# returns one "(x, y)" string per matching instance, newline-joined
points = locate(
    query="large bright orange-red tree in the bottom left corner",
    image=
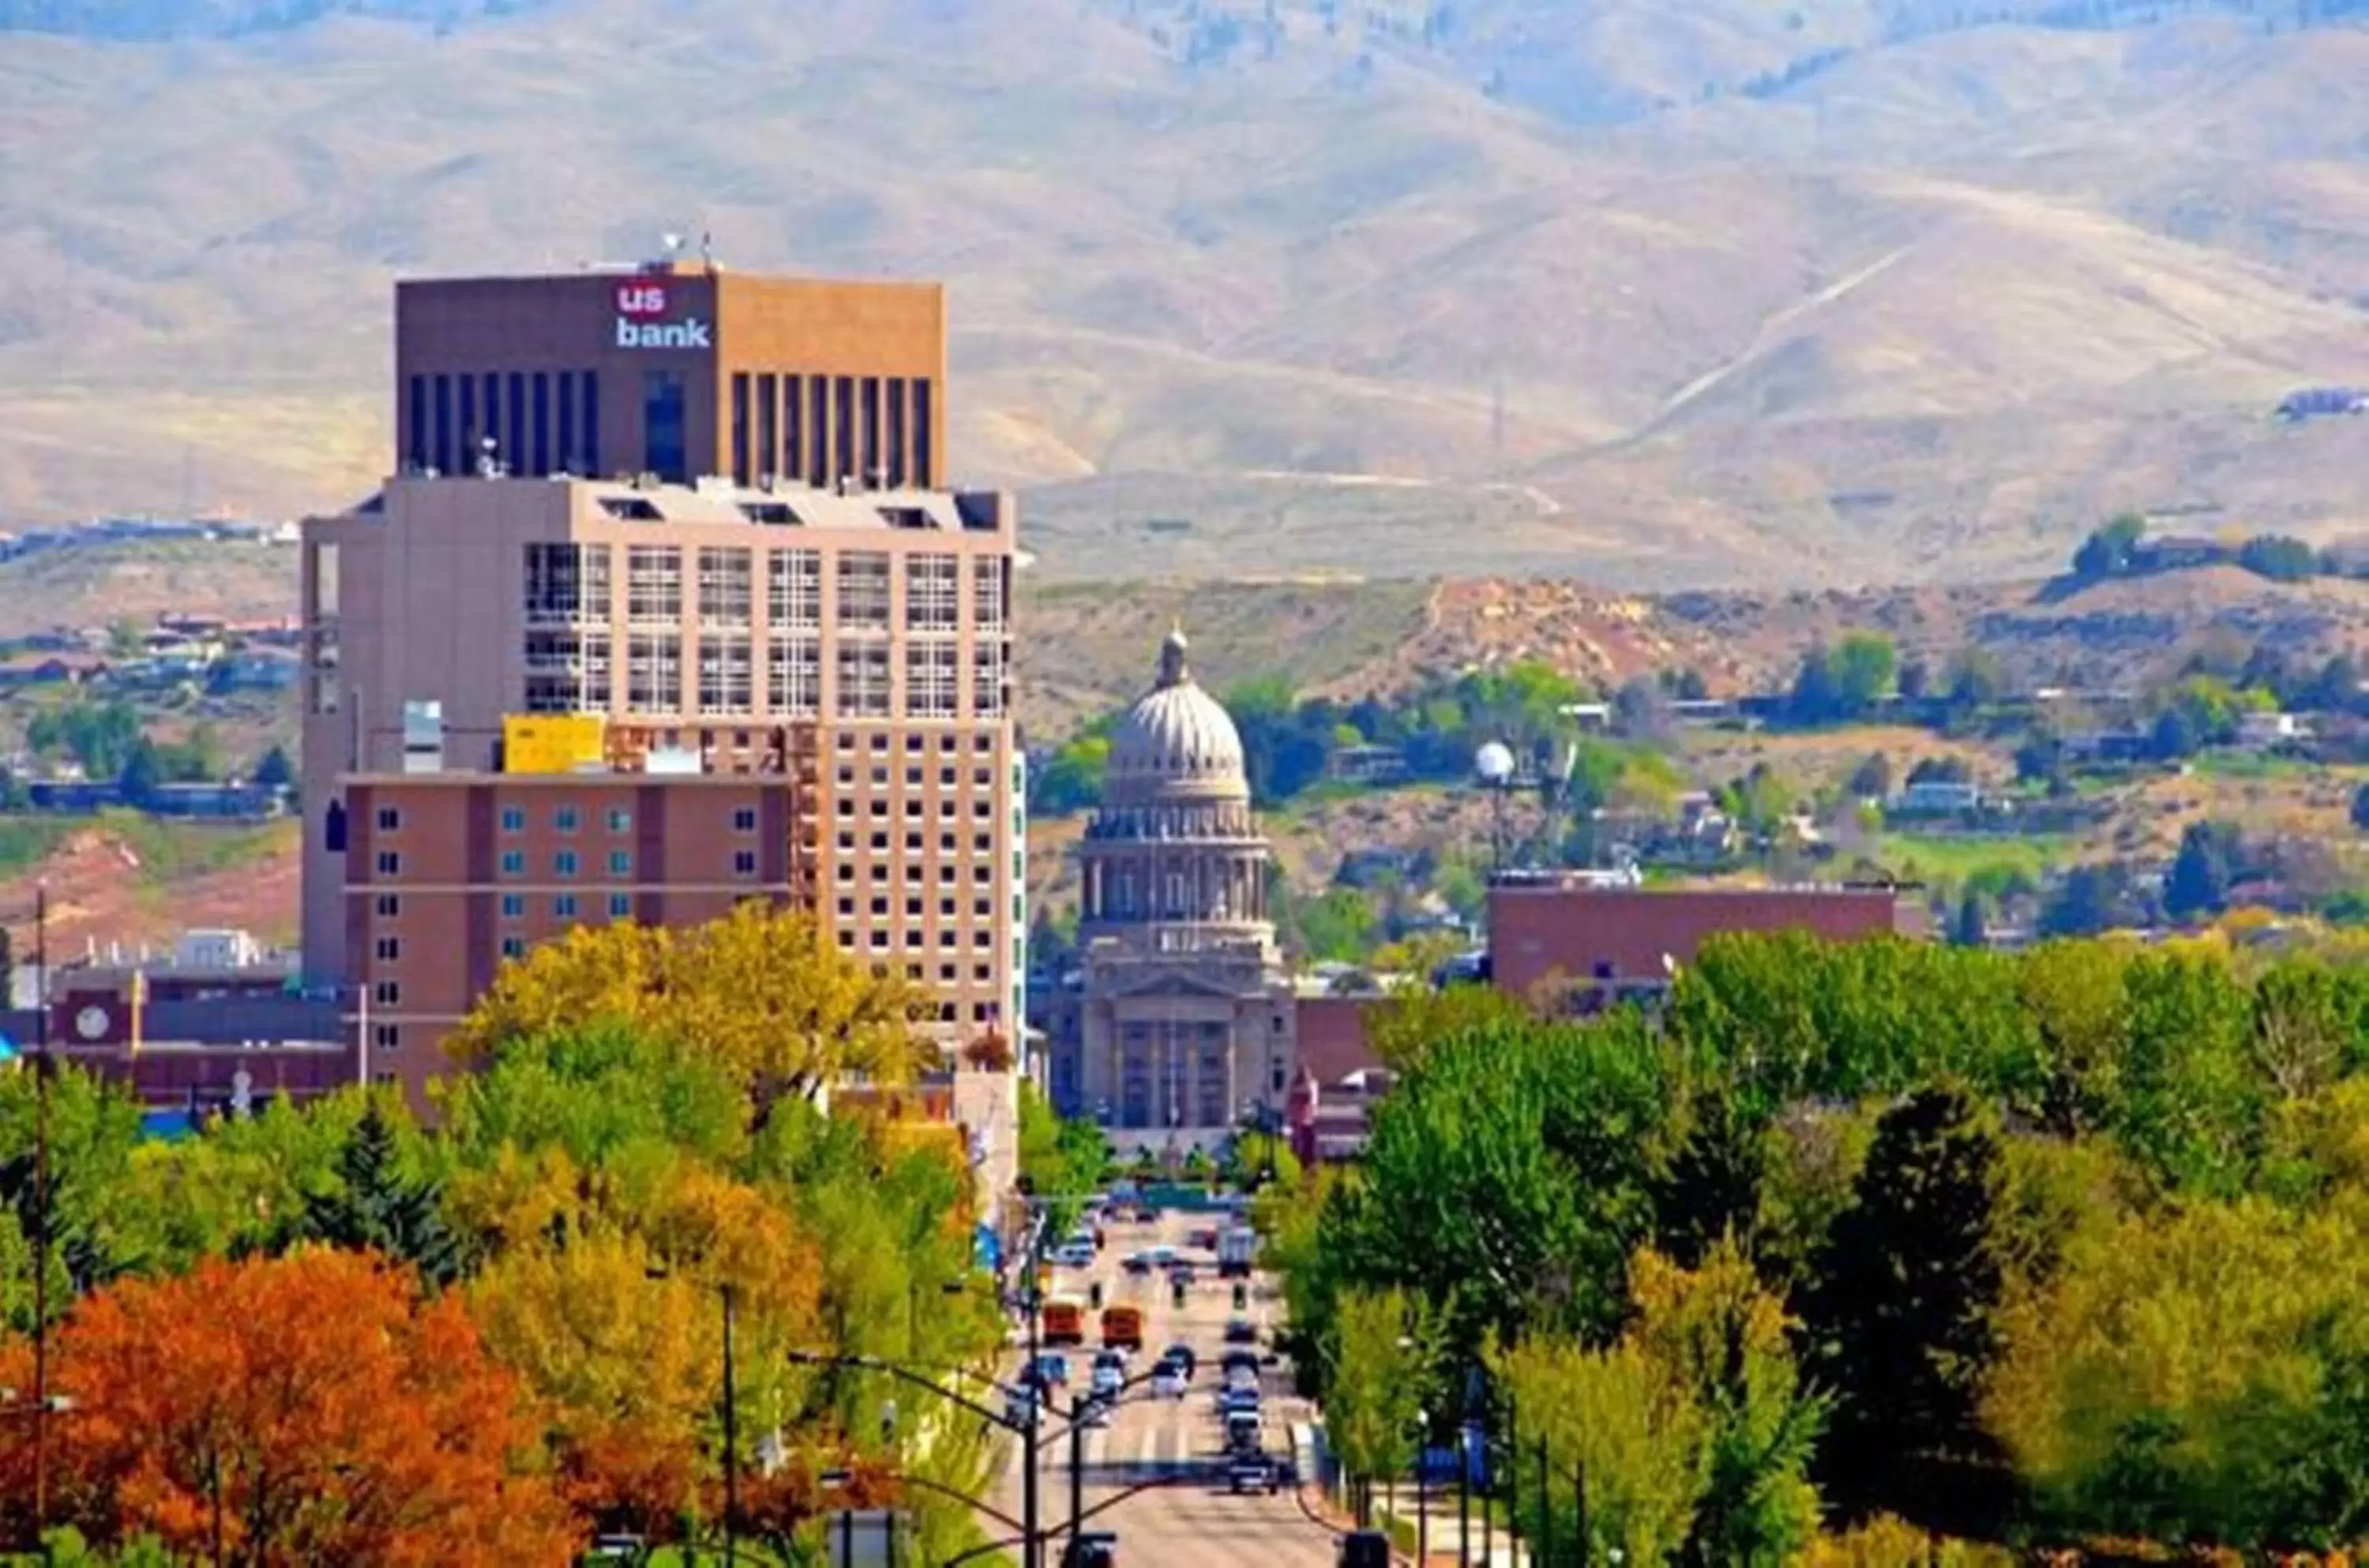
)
(290, 1410)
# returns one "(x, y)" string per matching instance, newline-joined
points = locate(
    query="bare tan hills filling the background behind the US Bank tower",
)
(1742, 293)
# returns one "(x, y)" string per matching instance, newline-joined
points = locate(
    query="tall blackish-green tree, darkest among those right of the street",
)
(1901, 1316)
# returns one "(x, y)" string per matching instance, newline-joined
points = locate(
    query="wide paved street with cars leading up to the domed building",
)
(1188, 1519)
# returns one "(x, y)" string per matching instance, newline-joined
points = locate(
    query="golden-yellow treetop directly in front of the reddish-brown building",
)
(764, 994)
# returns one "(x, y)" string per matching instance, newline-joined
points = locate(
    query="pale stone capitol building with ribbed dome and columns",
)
(1179, 1017)
